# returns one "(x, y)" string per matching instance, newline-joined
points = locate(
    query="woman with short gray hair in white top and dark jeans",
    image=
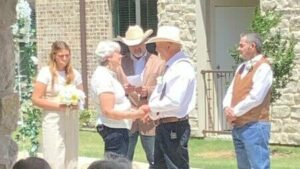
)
(113, 107)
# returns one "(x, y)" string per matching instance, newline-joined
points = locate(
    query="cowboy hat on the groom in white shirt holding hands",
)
(166, 34)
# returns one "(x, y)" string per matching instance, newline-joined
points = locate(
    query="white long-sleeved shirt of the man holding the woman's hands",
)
(179, 96)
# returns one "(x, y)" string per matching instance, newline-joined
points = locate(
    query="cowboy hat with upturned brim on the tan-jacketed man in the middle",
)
(135, 35)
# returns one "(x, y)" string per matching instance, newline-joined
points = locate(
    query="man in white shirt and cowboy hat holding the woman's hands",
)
(171, 101)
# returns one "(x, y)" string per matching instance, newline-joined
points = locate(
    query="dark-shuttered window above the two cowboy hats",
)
(131, 12)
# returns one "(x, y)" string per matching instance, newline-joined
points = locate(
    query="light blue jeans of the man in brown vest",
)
(251, 143)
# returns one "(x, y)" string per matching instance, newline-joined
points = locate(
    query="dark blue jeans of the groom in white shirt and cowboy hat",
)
(171, 145)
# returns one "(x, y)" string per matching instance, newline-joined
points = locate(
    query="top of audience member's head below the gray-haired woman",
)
(111, 161)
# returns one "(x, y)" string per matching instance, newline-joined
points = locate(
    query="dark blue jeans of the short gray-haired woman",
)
(116, 139)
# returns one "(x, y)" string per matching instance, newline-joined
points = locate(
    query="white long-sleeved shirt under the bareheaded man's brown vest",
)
(262, 81)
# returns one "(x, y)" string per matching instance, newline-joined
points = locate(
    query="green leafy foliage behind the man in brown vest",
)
(279, 49)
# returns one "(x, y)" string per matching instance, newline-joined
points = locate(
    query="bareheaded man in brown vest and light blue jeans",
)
(246, 105)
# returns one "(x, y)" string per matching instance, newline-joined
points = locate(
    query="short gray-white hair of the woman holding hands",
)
(106, 49)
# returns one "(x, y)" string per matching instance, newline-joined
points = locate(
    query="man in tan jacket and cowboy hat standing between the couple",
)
(147, 67)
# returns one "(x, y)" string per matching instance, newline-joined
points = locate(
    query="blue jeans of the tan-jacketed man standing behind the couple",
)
(148, 146)
